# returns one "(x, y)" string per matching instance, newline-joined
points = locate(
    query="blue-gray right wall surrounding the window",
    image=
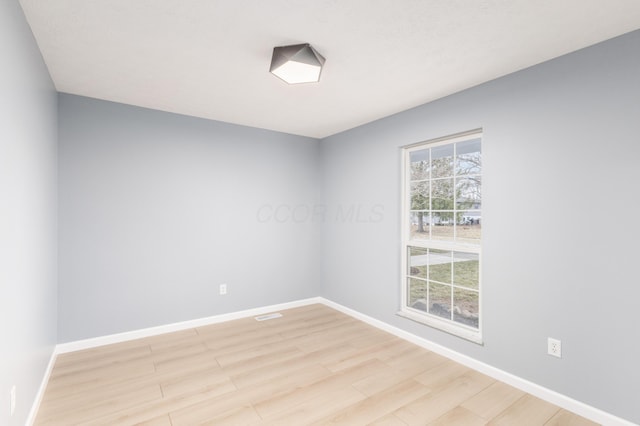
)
(561, 158)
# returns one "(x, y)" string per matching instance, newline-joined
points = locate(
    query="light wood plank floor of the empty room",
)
(313, 366)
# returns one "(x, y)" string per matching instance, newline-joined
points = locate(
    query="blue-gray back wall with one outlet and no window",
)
(157, 210)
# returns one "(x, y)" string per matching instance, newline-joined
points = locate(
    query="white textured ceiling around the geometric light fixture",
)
(210, 58)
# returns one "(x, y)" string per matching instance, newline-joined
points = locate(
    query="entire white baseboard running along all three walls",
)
(541, 392)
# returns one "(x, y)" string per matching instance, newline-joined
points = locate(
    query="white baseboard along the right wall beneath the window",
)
(541, 392)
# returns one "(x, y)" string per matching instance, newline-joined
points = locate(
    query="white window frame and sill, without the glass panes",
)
(448, 326)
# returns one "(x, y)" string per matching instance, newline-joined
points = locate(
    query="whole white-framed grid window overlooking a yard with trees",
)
(442, 224)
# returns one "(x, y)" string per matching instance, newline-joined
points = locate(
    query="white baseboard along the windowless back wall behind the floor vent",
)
(168, 328)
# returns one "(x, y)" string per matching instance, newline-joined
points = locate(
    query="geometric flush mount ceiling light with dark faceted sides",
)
(295, 64)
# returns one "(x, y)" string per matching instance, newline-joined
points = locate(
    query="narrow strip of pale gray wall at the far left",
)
(27, 214)
